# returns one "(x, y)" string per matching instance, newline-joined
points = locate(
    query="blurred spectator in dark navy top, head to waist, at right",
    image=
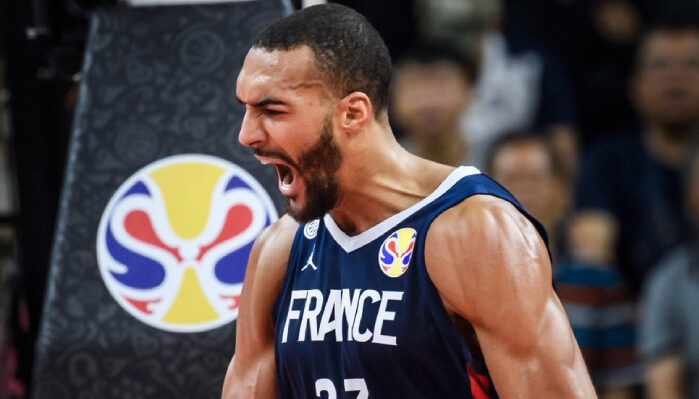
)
(628, 201)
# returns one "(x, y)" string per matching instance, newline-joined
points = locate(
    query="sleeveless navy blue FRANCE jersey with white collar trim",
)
(359, 317)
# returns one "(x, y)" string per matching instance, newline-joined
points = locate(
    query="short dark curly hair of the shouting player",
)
(348, 50)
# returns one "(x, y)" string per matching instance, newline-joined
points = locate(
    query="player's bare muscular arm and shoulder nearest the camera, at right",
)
(492, 268)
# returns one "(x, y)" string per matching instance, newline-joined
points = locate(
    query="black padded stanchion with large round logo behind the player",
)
(159, 209)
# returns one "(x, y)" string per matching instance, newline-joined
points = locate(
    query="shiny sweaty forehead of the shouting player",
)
(277, 70)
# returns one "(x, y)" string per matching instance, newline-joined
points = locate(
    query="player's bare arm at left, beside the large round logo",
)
(251, 373)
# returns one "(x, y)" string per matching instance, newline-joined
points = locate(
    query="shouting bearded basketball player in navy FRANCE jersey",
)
(391, 276)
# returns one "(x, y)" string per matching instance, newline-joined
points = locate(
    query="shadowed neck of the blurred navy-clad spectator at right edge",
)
(669, 145)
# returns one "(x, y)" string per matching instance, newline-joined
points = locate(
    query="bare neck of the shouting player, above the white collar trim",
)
(380, 180)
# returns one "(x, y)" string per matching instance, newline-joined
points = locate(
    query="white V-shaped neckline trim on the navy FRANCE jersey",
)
(351, 243)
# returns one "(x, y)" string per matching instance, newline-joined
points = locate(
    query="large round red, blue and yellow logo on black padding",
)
(174, 241)
